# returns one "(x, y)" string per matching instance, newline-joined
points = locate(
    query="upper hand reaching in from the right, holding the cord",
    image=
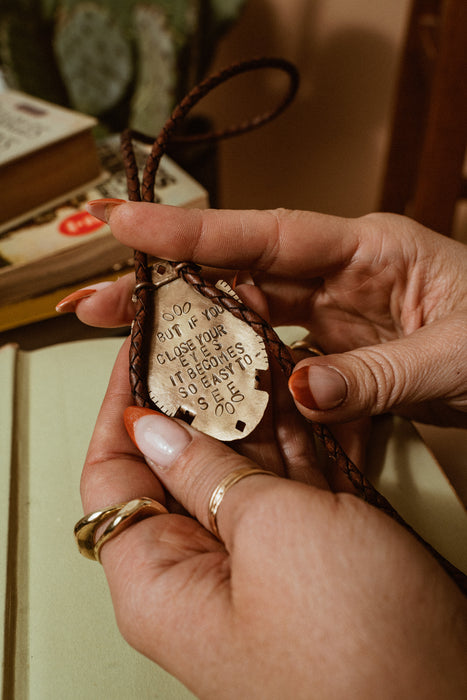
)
(385, 297)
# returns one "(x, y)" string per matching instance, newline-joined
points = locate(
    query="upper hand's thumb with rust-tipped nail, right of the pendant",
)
(425, 366)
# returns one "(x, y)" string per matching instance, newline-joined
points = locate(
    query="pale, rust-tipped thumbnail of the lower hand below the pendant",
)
(160, 439)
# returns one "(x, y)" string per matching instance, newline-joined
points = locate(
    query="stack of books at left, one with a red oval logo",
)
(49, 244)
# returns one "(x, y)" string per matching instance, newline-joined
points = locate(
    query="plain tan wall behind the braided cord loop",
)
(326, 152)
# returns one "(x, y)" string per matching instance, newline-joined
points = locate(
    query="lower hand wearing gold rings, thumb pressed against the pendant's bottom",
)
(314, 594)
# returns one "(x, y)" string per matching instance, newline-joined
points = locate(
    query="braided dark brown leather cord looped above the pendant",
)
(191, 274)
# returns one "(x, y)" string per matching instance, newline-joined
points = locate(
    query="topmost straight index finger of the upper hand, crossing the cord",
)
(249, 240)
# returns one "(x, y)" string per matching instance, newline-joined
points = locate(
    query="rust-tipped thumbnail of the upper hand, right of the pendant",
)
(318, 387)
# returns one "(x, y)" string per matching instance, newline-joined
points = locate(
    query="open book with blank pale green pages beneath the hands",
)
(61, 640)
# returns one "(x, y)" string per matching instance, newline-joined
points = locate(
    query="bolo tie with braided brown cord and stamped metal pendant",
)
(184, 325)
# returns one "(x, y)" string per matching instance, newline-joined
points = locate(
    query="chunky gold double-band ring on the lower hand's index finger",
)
(124, 515)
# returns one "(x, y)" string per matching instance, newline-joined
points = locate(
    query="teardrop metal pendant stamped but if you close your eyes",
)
(204, 363)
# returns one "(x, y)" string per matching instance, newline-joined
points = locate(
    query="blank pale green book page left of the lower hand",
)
(67, 637)
